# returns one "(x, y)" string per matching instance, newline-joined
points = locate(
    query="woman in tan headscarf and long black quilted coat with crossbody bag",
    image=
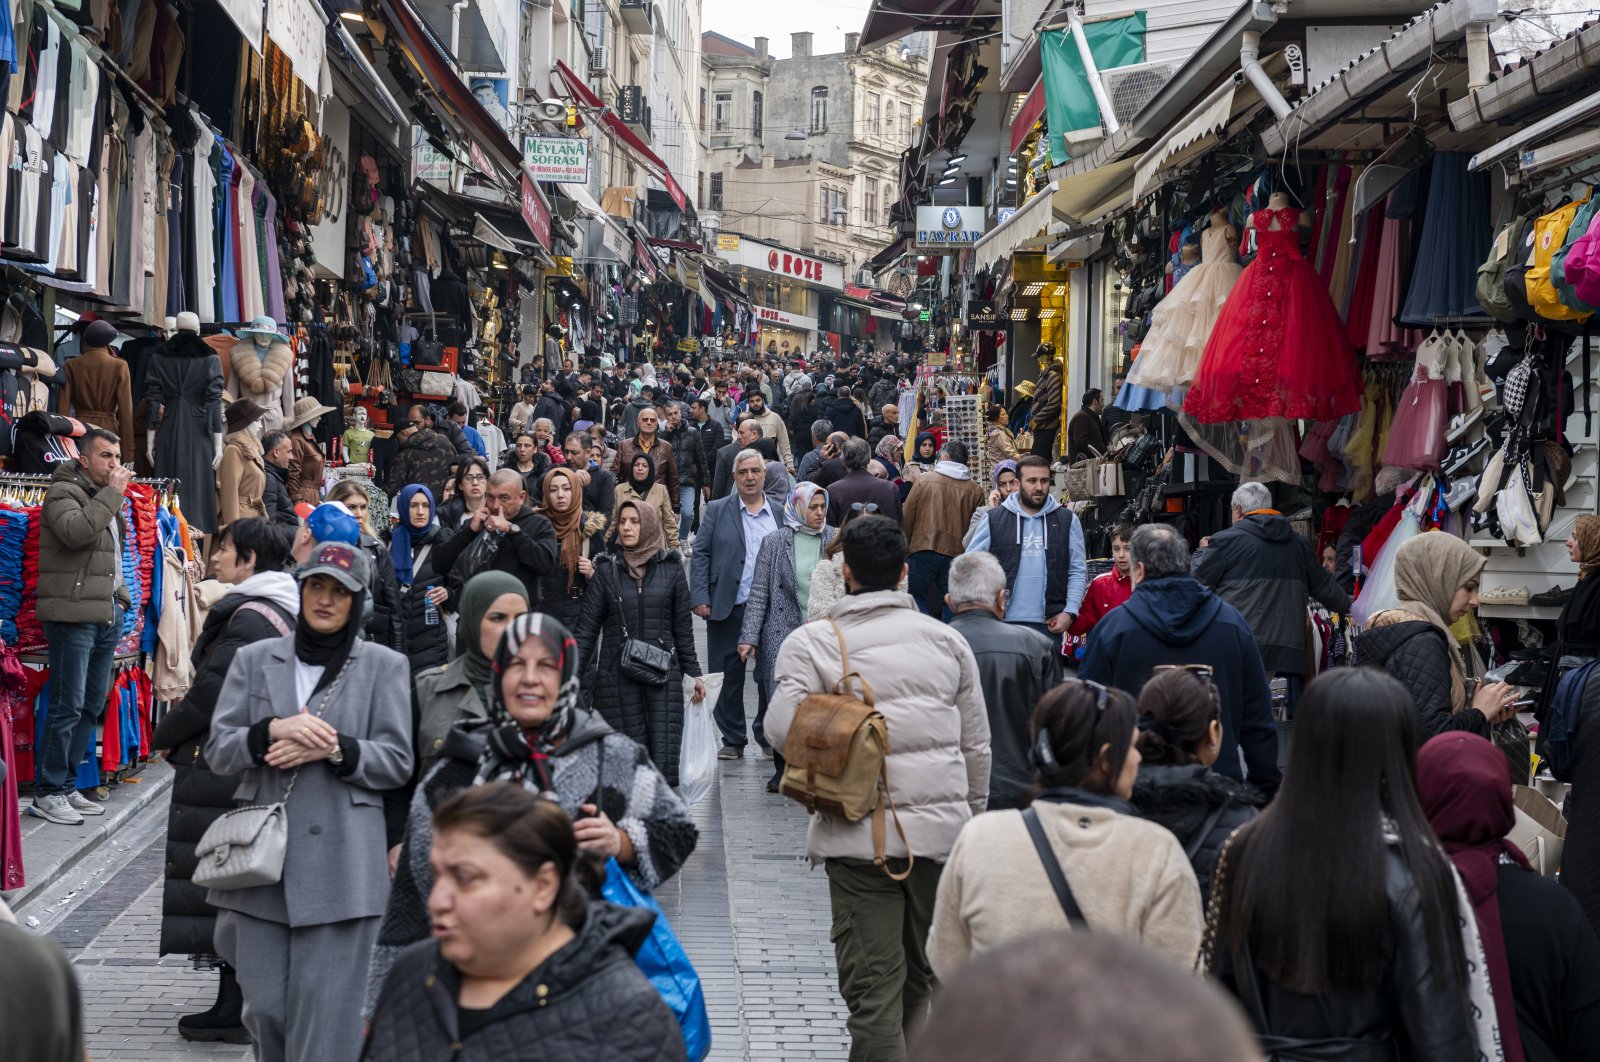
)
(639, 593)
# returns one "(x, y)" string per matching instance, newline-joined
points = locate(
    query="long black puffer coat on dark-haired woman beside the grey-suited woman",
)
(199, 796)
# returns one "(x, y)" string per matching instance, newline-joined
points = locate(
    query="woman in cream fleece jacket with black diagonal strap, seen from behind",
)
(1118, 872)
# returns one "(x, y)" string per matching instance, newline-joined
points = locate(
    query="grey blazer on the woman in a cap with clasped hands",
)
(337, 864)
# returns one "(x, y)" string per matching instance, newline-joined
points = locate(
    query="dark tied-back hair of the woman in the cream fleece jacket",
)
(1071, 725)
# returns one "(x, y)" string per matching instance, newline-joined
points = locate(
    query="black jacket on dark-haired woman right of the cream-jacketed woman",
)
(1185, 800)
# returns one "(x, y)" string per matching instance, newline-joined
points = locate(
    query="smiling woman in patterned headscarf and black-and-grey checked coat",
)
(620, 804)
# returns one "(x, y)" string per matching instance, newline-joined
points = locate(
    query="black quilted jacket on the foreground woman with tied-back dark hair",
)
(586, 1002)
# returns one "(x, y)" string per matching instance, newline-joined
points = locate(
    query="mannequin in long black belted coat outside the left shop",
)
(185, 378)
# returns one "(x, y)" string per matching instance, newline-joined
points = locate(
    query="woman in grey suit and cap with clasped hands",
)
(330, 714)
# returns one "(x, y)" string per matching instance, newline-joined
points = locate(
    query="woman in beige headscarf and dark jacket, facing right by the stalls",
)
(1438, 583)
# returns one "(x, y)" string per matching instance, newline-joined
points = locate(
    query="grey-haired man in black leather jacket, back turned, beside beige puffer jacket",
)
(1017, 666)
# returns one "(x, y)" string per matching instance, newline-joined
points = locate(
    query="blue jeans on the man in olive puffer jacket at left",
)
(81, 661)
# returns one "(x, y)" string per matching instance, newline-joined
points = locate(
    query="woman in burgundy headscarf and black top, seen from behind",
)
(1542, 952)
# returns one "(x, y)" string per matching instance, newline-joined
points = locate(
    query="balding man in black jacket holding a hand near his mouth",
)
(506, 535)
